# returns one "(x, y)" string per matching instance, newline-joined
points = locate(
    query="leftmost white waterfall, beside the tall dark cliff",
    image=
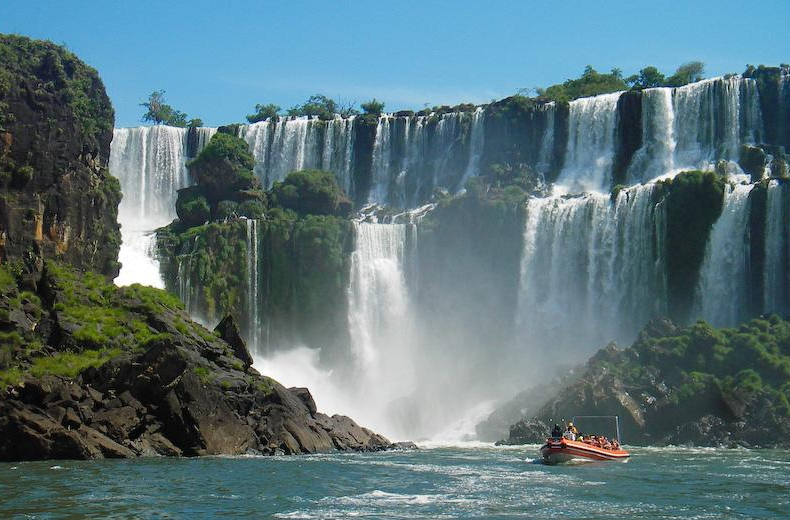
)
(149, 162)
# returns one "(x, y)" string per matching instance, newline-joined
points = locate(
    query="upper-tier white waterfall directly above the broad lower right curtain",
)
(591, 137)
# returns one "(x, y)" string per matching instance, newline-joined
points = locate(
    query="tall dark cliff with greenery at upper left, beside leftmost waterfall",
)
(57, 197)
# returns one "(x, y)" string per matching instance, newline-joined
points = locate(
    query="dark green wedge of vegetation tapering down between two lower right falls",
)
(694, 201)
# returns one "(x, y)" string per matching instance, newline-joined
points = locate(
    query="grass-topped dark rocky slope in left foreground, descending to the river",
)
(89, 370)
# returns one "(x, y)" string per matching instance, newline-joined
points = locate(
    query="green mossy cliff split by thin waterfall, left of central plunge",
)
(303, 241)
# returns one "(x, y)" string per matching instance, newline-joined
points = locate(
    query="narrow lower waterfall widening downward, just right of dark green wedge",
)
(722, 295)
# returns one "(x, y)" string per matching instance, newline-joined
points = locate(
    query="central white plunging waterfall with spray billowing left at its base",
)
(381, 371)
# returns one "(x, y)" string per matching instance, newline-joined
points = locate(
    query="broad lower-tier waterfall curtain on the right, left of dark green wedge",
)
(591, 261)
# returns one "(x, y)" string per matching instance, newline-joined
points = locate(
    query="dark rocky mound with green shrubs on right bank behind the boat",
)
(697, 385)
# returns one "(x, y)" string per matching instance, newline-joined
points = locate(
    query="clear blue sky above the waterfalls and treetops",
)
(217, 59)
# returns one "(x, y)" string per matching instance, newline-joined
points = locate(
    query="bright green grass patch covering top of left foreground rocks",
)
(96, 320)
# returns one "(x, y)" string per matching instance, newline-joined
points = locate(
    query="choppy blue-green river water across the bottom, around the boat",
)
(434, 482)
